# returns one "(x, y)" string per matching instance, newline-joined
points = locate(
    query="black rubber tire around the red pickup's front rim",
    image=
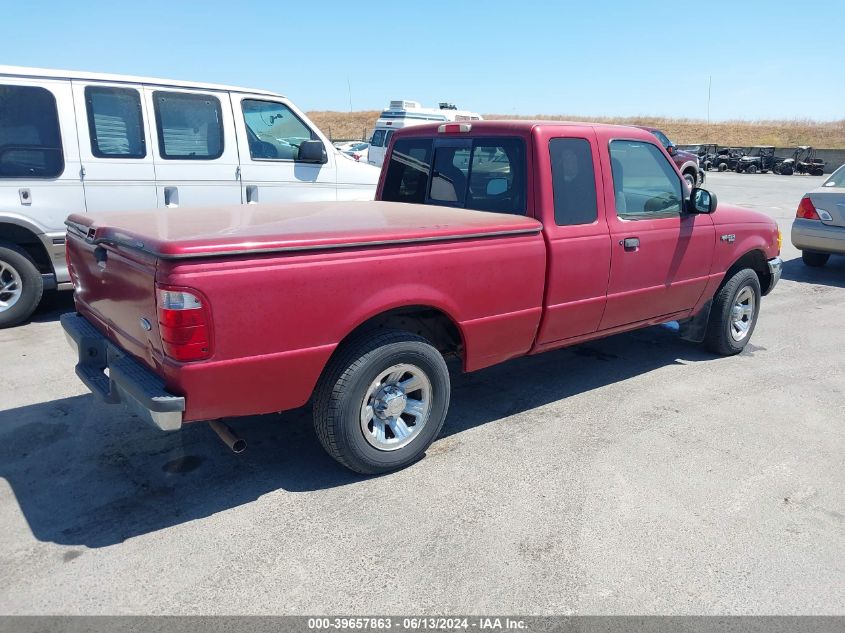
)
(719, 338)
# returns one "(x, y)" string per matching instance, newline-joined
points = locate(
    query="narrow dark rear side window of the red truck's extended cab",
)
(573, 181)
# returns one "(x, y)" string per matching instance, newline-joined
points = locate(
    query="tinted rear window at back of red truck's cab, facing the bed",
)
(480, 174)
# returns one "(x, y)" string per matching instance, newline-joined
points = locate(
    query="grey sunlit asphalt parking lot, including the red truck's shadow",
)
(636, 474)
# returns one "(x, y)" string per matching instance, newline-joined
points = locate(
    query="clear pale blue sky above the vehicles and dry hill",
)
(768, 59)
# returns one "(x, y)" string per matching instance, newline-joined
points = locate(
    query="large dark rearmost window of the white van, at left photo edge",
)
(30, 138)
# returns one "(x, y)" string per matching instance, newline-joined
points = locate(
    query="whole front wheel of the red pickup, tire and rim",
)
(734, 314)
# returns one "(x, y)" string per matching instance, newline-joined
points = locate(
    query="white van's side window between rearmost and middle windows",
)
(115, 122)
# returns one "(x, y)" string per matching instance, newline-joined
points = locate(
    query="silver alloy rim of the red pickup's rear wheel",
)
(396, 407)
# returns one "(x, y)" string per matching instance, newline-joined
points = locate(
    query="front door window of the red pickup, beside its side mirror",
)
(645, 185)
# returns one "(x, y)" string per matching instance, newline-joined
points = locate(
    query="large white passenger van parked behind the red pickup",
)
(73, 142)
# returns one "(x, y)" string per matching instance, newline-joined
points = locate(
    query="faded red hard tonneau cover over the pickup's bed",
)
(174, 233)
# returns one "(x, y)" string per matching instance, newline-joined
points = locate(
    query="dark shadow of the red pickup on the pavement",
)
(86, 473)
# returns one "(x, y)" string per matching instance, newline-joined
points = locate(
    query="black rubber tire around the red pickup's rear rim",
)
(340, 394)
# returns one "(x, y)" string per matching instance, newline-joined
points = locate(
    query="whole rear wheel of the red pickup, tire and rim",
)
(382, 401)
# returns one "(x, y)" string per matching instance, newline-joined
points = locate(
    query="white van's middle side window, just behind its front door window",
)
(189, 125)
